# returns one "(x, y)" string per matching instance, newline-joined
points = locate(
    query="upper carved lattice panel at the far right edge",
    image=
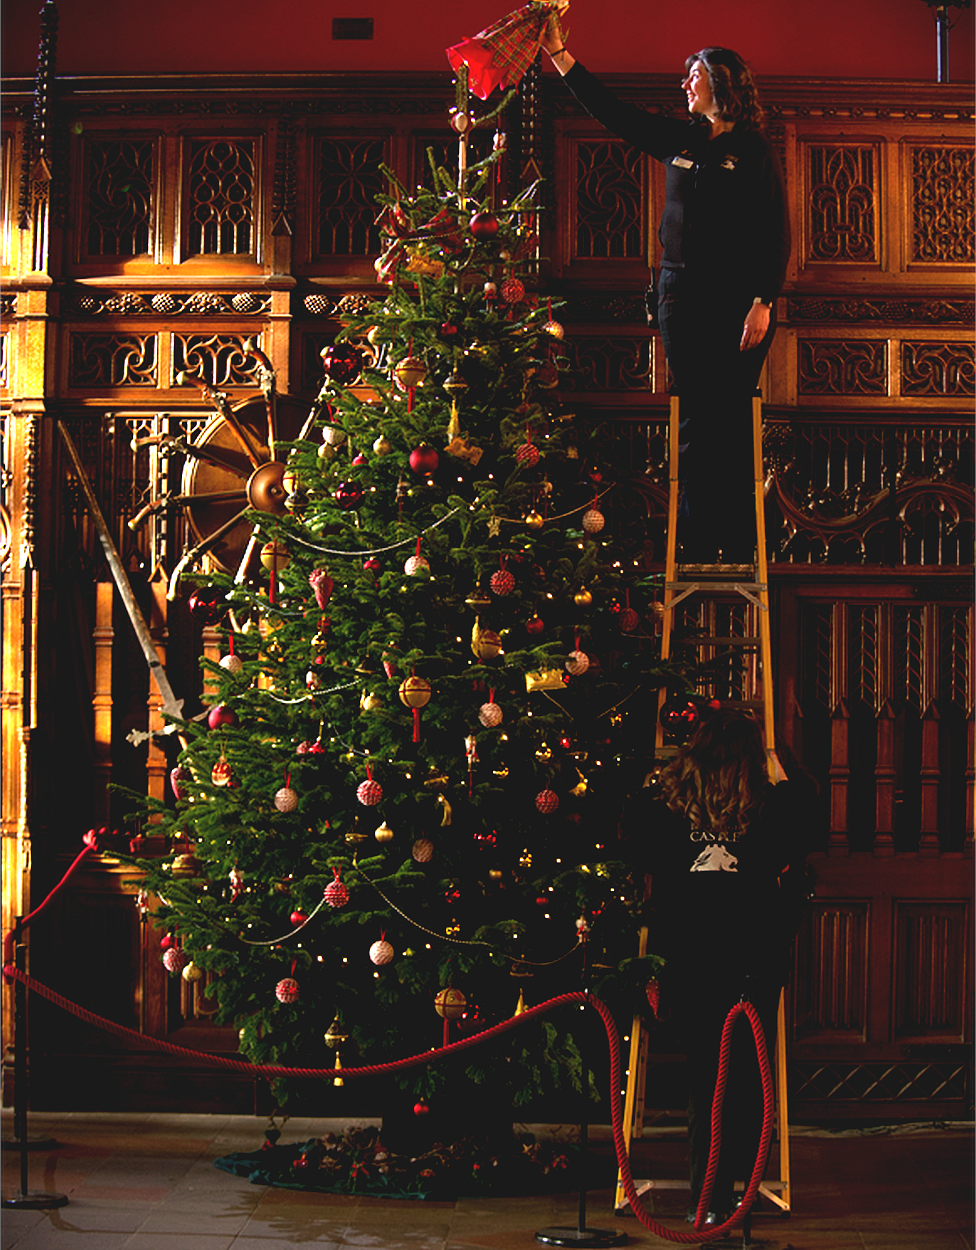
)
(943, 206)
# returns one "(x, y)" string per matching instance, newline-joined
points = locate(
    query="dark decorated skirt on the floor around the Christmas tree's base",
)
(356, 1162)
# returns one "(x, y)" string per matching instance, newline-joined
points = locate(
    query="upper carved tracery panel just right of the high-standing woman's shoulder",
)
(843, 204)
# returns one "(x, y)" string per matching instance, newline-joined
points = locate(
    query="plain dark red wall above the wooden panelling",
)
(872, 39)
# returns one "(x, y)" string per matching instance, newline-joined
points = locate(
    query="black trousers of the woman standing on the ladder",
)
(702, 328)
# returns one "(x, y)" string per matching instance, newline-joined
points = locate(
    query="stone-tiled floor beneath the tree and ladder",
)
(149, 1183)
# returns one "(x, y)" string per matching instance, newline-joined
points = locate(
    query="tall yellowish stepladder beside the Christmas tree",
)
(722, 612)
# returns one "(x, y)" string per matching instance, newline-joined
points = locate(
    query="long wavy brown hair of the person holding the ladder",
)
(719, 777)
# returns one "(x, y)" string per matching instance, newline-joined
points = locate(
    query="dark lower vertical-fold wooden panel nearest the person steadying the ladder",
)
(832, 989)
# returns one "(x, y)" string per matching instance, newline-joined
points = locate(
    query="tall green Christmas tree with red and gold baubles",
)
(437, 688)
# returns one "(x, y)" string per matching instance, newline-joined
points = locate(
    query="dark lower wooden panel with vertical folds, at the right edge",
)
(930, 973)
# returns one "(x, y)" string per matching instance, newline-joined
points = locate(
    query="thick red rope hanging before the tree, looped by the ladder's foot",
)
(613, 1039)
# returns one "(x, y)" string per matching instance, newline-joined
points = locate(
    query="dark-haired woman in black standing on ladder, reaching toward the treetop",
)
(725, 237)
